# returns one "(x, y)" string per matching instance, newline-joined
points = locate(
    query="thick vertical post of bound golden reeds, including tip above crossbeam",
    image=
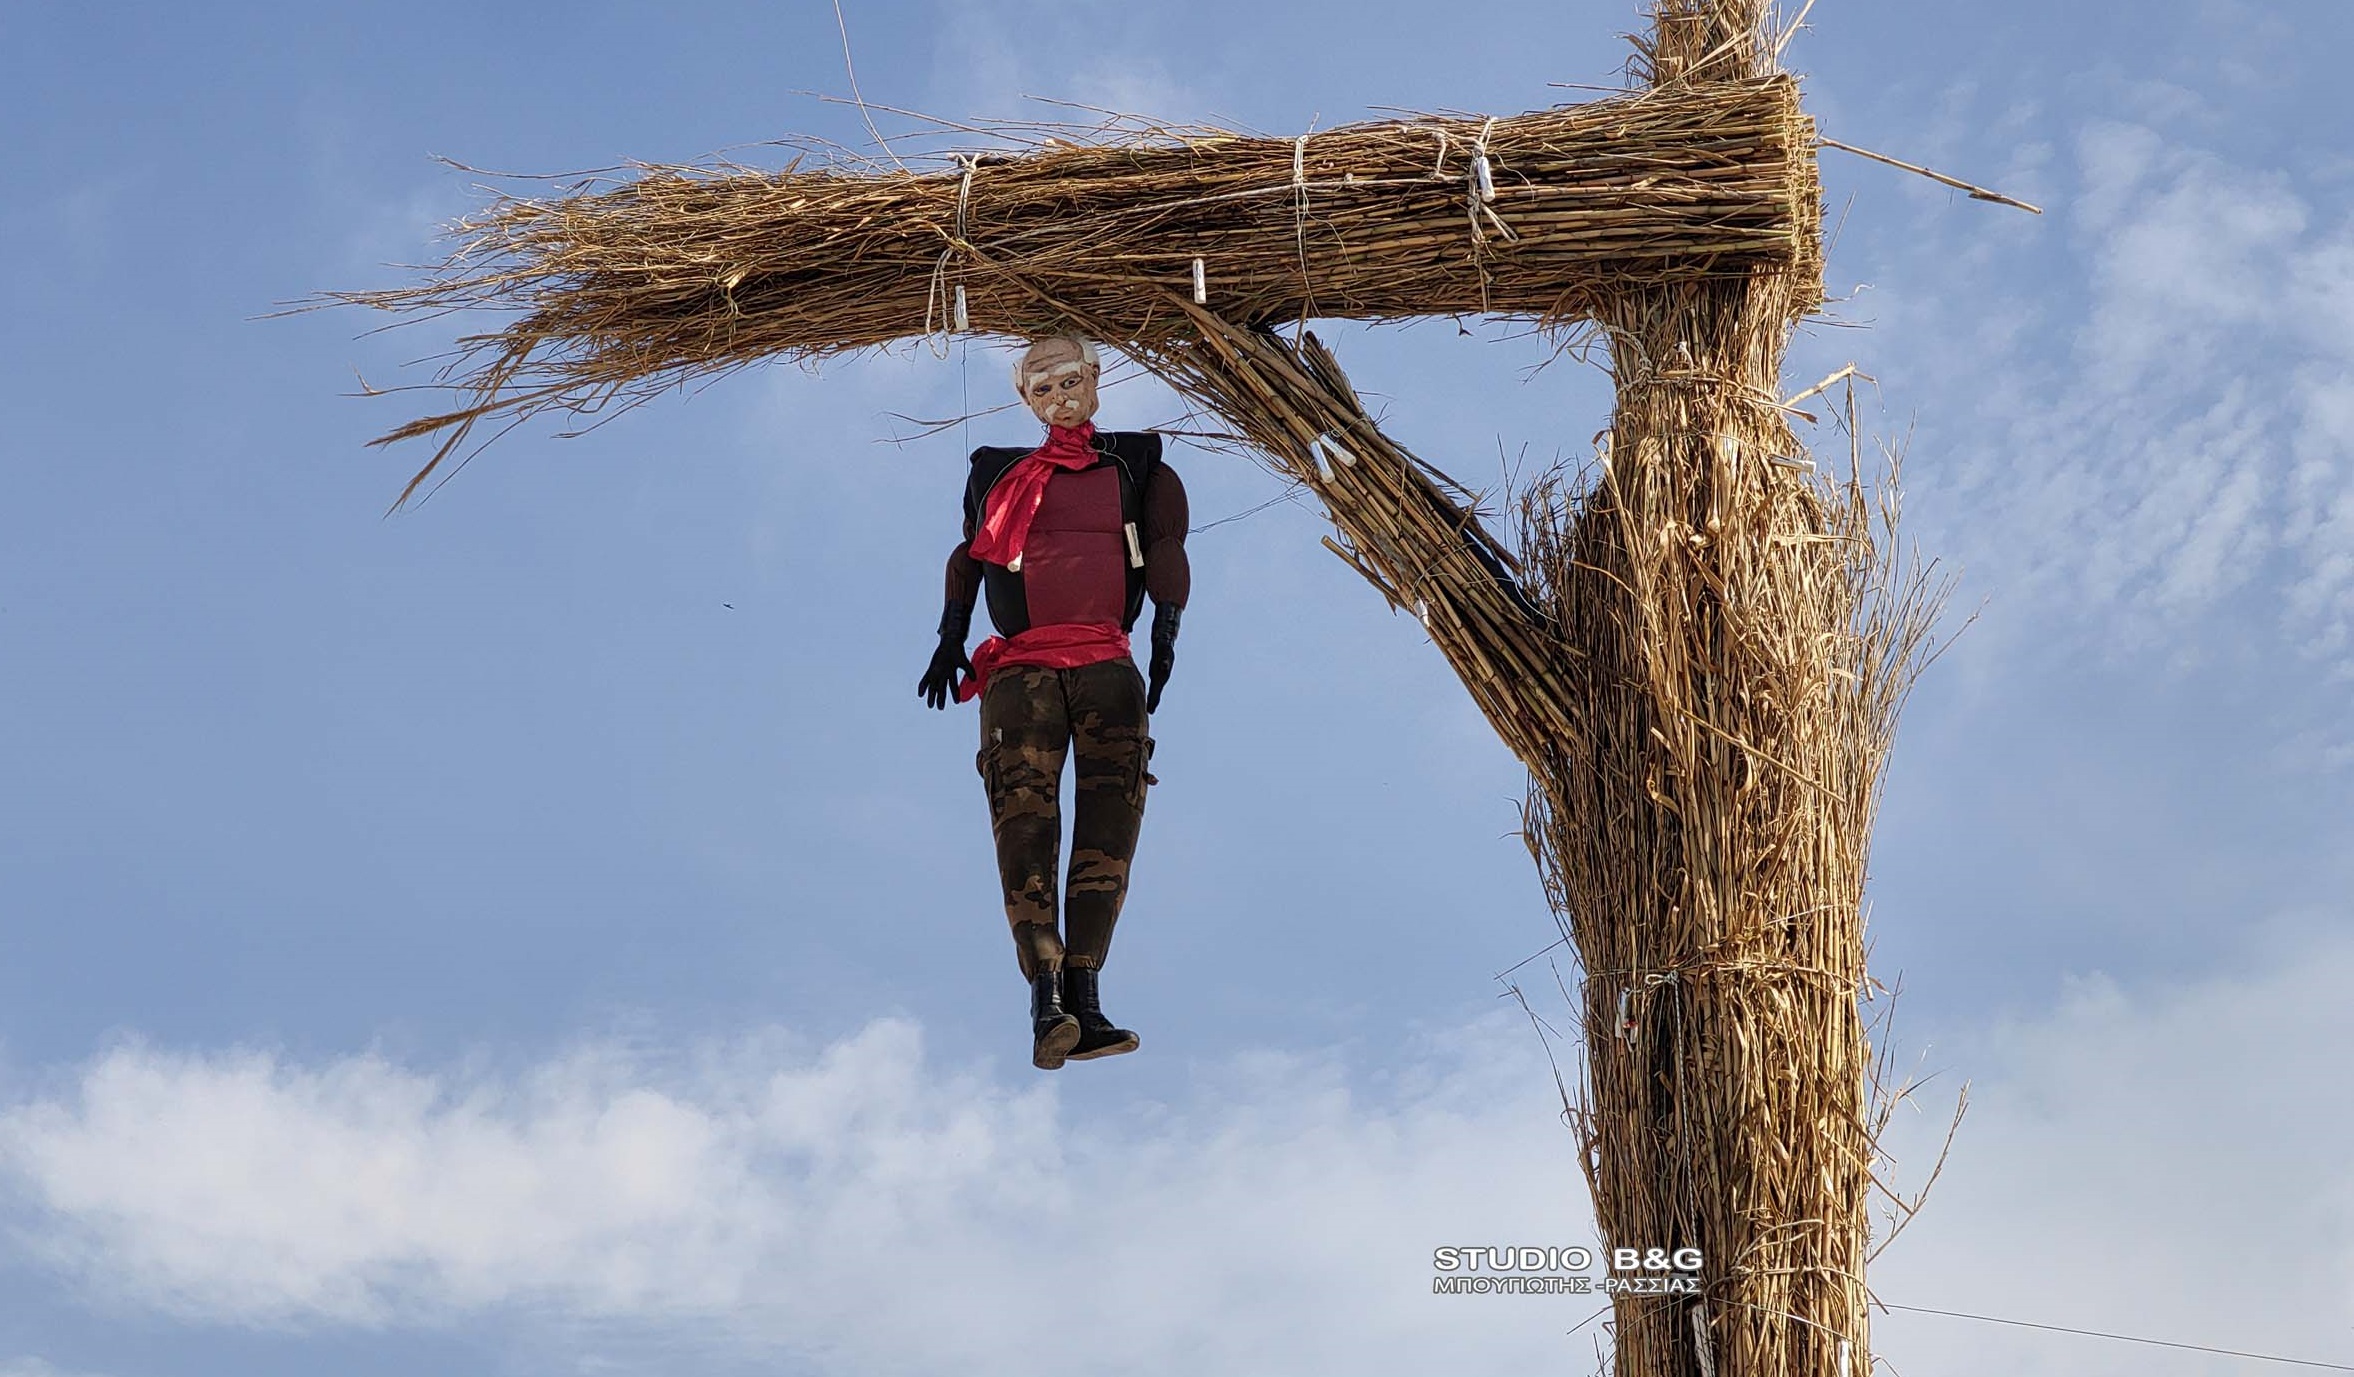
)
(1705, 846)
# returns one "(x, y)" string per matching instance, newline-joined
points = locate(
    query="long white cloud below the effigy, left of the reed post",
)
(858, 1206)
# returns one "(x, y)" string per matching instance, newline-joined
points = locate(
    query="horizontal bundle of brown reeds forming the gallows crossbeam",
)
(684, 272)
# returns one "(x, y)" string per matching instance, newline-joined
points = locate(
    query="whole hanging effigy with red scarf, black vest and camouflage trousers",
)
(1068, 540)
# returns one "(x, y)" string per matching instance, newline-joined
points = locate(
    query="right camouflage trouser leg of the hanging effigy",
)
(1112, 750)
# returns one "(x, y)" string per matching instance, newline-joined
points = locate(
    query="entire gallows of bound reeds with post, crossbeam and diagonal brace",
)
(1698, 653)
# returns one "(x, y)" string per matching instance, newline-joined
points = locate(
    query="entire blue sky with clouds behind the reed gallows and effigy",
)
(543, 933)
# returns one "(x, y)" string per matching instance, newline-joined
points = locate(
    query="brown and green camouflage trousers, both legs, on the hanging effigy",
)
(1030, 721)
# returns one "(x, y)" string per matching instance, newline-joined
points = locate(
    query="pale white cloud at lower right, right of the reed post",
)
(2165, 1164)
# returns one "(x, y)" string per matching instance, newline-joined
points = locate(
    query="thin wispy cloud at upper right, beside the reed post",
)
(2162, 432)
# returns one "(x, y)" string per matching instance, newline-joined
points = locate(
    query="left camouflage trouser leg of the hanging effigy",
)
(1025, 736)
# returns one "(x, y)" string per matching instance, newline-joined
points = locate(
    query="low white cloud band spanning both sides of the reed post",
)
(2162, 1164)
